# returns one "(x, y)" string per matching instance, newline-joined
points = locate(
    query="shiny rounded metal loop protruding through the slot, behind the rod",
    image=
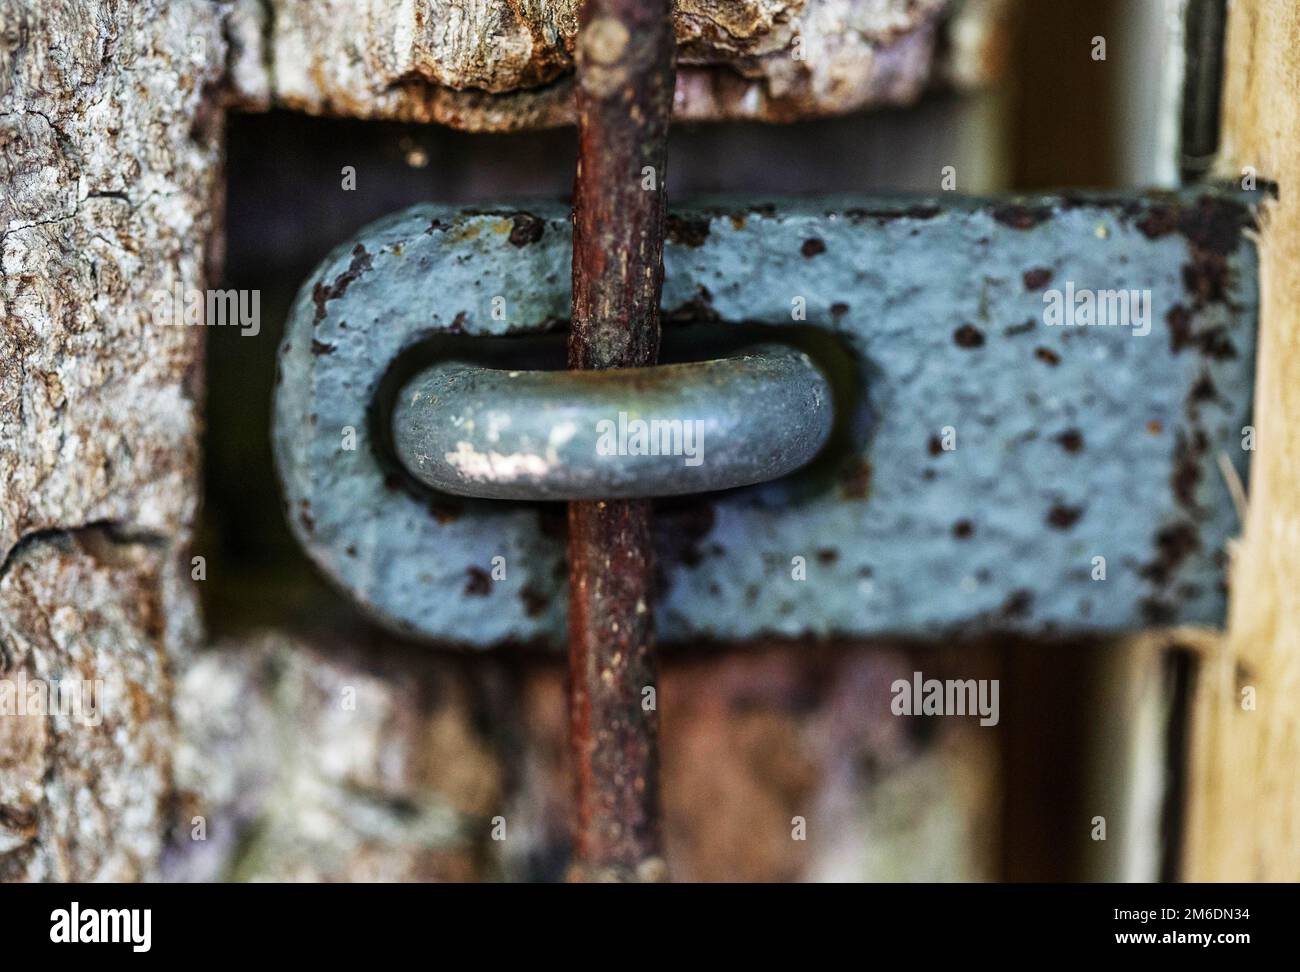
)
(666, 431)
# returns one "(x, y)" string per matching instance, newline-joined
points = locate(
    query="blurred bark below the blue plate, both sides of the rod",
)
(337, 758)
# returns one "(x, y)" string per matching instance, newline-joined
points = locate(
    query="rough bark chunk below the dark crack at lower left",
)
(88, 797)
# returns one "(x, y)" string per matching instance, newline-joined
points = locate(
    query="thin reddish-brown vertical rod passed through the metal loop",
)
(626, 75)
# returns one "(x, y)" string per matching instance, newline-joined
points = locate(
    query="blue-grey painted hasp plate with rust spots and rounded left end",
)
(1069, 444)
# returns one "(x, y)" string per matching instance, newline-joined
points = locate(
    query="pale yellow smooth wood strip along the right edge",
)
(1245, 821)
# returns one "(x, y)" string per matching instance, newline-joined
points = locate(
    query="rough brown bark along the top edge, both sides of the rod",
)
(501, 66)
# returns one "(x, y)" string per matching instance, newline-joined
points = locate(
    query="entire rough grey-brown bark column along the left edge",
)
(109, 154)
